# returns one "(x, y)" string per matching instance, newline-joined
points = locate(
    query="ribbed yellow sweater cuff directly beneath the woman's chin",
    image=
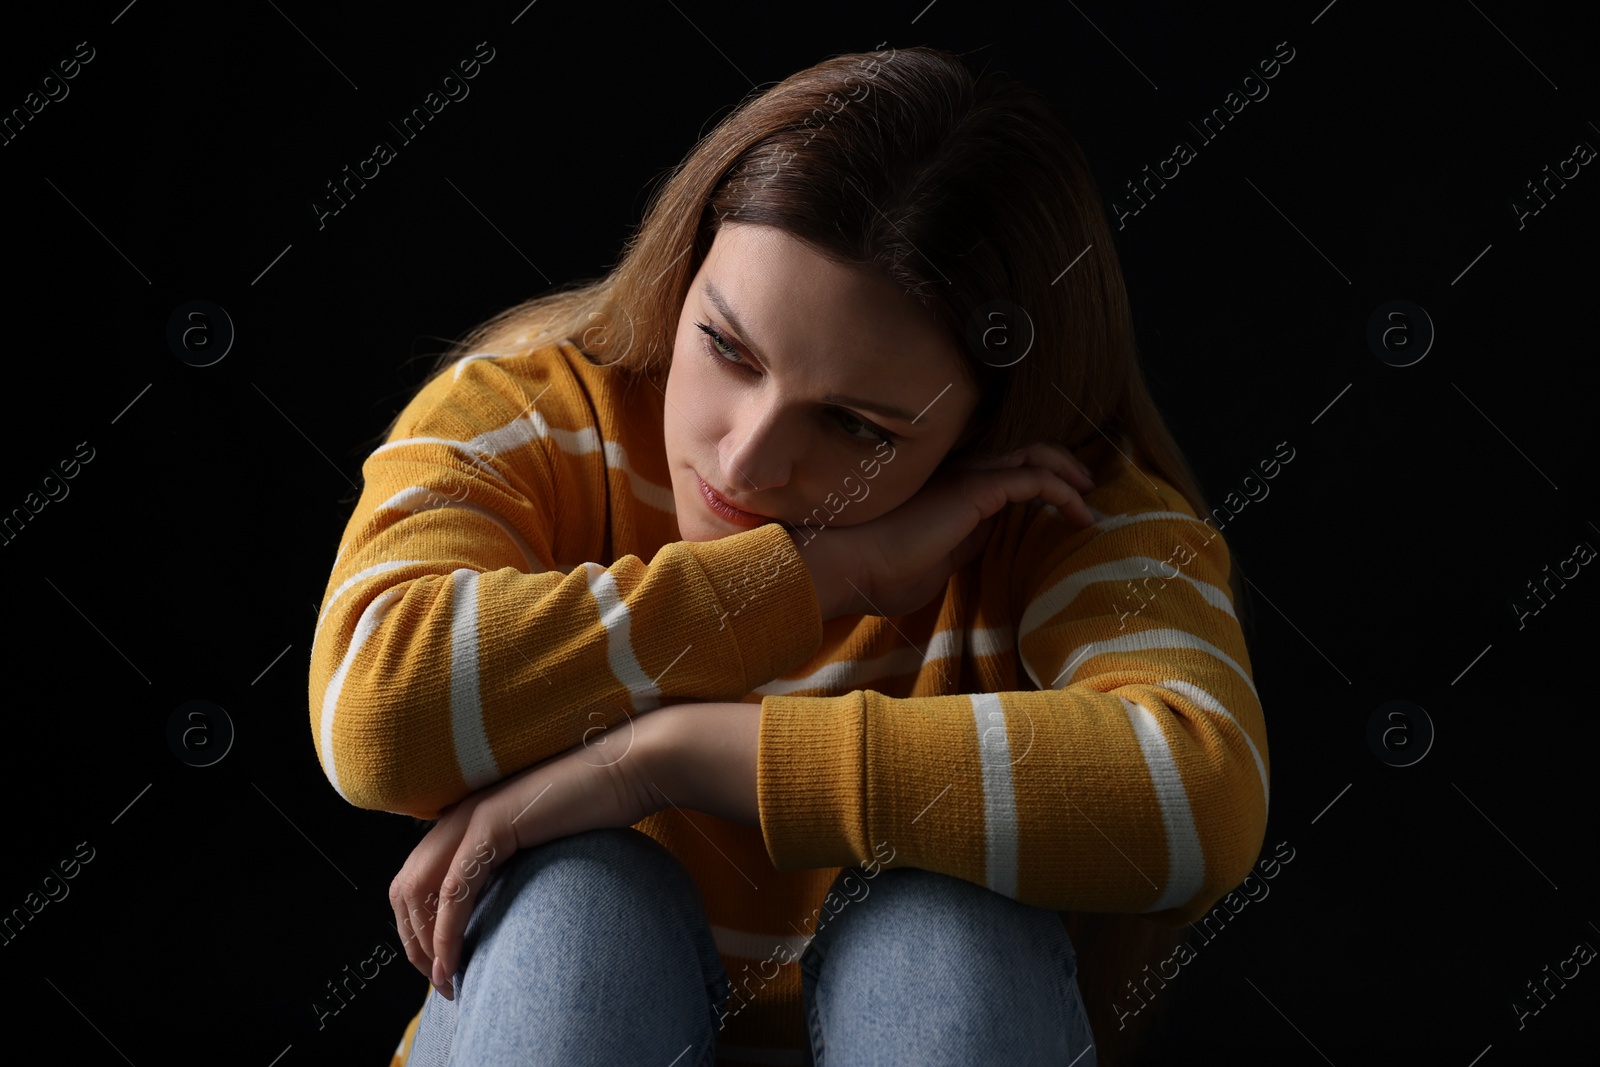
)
(767, 599)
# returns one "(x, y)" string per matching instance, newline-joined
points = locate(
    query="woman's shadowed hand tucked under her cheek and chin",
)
(898, 562)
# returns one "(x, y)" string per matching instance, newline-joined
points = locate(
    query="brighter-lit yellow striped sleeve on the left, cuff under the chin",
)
(455, 647)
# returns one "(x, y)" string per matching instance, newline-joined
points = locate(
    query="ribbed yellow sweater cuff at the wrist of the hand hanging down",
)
(810, 781)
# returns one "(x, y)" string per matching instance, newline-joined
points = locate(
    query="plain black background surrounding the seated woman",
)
(191, 556)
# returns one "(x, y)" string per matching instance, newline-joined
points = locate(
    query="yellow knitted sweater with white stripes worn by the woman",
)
(1071, 724)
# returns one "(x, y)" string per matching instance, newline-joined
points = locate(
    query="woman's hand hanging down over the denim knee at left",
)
(602, 783)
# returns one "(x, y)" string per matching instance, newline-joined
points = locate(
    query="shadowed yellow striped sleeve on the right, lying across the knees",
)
(1130, 777)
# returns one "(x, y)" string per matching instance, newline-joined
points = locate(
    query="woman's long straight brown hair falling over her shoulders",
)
(967, 191)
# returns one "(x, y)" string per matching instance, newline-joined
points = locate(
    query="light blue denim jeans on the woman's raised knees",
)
(596, 949)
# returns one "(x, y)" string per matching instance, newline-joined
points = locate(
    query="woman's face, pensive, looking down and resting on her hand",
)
(801, 388)
